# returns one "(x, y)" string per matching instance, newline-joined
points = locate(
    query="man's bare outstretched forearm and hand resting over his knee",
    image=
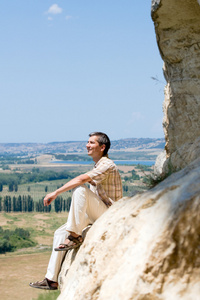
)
(79, 180)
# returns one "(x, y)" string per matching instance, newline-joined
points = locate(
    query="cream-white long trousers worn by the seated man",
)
(86, 207)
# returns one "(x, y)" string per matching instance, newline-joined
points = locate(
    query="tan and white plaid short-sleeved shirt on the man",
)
(106, 181)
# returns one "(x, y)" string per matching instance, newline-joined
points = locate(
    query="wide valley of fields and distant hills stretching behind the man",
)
(23, 265)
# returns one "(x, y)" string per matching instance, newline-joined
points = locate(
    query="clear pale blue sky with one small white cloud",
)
(71, 67)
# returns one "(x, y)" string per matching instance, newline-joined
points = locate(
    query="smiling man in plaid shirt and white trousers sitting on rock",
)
(87, 204)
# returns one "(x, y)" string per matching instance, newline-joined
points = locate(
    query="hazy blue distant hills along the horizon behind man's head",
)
(130, 144)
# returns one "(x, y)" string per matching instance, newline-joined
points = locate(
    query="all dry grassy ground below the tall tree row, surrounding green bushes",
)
(27, 265)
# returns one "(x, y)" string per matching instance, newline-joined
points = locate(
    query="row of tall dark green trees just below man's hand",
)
(26, 204)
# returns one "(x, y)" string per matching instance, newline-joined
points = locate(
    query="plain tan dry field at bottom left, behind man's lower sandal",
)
(16, 273)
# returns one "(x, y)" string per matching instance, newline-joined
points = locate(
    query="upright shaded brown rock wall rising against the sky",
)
(177, 26)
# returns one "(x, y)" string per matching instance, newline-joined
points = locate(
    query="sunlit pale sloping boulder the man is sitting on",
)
(144, 248)
